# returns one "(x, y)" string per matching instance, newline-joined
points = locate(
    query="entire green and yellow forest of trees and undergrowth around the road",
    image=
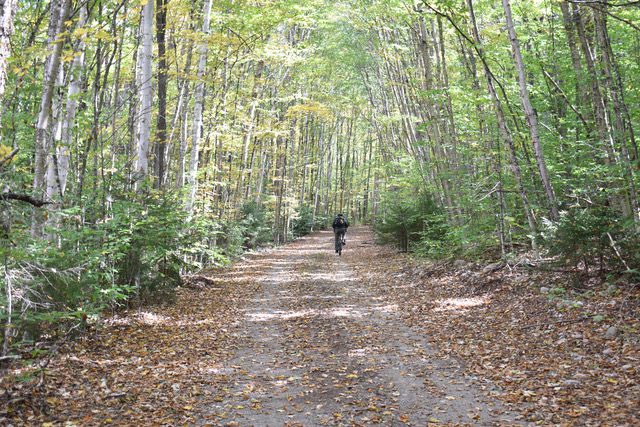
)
(146, 140)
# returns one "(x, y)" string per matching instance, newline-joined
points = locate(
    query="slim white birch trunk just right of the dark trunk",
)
(192, 177)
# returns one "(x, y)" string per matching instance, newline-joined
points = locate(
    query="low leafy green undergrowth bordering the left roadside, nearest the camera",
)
(136, 254)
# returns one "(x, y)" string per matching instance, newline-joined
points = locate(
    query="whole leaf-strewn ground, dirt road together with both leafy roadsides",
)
(297, 336)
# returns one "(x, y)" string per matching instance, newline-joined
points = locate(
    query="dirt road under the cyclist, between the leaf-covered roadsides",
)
(318, 346)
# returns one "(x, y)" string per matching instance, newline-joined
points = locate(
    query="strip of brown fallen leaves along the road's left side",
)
(146, 367)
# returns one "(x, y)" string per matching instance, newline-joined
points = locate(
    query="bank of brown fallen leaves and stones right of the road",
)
(560, 355)
